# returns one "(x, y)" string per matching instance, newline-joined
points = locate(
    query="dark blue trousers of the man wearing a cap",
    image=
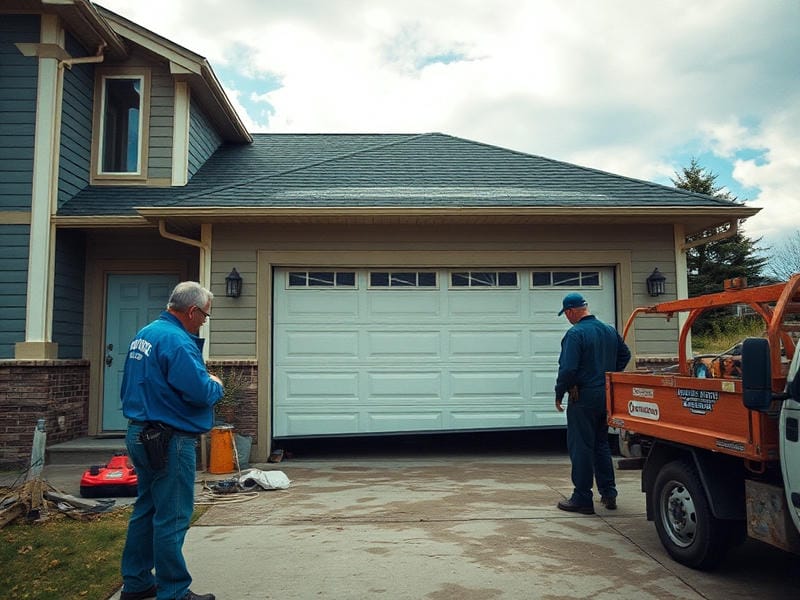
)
(587, 442)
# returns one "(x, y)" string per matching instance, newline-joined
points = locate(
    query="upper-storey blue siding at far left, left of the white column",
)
(18, 79)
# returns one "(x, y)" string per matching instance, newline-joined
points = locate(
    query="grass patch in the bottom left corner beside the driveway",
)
(63, 558)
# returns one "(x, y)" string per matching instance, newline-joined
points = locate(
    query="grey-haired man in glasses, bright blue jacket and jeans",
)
(168, 396)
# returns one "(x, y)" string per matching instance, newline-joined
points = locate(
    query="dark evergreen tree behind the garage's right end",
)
(711, 263)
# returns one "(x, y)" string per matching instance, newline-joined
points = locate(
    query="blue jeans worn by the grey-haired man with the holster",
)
(160, 518)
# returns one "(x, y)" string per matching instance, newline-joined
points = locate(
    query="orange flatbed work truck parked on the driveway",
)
(718, 448)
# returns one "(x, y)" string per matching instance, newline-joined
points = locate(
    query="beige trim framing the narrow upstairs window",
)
(101, 76)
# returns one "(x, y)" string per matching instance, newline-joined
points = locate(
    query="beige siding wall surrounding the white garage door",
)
(637, 251)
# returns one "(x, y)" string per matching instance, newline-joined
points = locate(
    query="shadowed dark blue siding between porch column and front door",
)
(68, 293)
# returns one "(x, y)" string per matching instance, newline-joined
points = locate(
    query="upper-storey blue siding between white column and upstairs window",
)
(76, 126)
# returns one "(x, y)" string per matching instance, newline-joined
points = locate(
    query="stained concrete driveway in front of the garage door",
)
(453, 527)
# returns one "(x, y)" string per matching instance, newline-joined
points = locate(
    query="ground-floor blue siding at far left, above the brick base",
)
(13, 286)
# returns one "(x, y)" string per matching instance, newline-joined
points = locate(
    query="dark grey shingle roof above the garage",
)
(385, 170)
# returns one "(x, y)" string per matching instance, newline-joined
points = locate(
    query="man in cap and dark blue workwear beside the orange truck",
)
(589, 349)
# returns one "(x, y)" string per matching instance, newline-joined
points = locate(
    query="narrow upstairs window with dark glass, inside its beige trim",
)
(121, 135)
